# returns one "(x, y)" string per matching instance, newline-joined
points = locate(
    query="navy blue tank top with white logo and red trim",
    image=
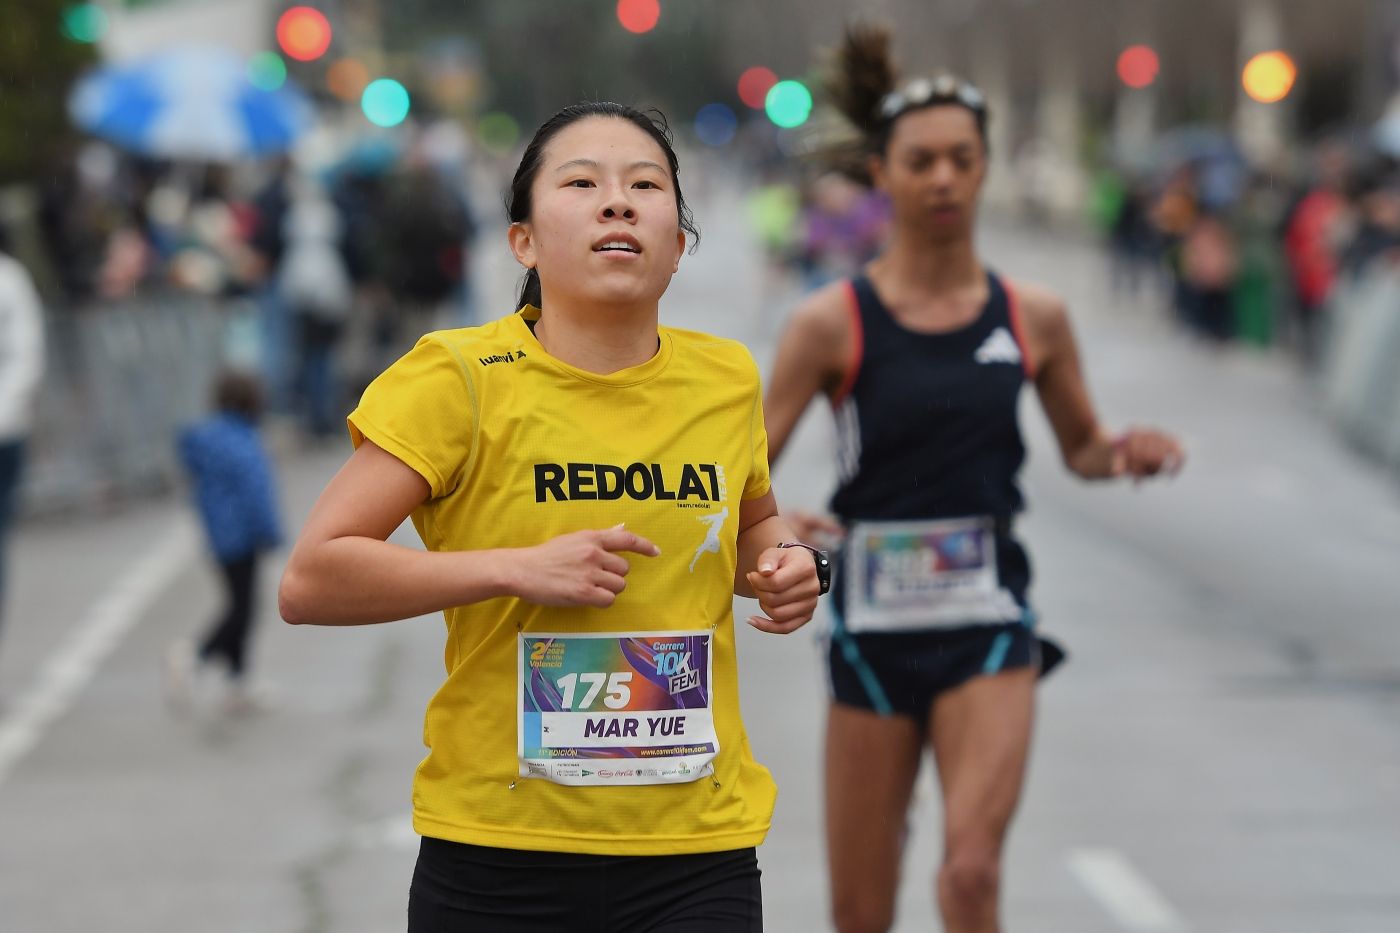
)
(929, 428)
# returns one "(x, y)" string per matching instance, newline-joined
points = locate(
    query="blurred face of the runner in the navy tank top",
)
(933, 172)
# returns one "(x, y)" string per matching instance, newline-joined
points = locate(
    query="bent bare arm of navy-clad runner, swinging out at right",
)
(1088, 449)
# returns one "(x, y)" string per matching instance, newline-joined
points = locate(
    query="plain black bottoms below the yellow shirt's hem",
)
(464, 889)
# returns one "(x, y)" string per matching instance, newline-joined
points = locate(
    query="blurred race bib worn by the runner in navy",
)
(925, 575)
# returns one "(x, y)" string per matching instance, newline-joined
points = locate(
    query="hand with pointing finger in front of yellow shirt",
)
(583, 568)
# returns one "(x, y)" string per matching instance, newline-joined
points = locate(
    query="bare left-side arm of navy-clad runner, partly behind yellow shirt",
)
(814, 357)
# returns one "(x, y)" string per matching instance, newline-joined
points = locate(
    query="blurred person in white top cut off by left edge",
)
(22, 368)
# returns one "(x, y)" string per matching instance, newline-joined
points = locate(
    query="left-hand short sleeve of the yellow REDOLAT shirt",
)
(423, 411)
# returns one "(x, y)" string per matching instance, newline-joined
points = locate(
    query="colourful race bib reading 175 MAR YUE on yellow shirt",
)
(617, 710)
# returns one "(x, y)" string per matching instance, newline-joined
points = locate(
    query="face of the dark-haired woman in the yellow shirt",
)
(604, 225)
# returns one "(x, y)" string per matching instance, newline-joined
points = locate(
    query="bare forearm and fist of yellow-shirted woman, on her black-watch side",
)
(782, 579)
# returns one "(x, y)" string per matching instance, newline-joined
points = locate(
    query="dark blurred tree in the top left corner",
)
(37, 69)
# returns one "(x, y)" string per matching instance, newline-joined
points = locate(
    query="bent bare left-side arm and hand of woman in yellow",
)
(344, 571)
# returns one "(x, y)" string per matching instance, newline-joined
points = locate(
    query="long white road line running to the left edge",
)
(93, 640)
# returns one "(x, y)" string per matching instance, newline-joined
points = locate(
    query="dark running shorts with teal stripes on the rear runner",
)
(901, 673)
